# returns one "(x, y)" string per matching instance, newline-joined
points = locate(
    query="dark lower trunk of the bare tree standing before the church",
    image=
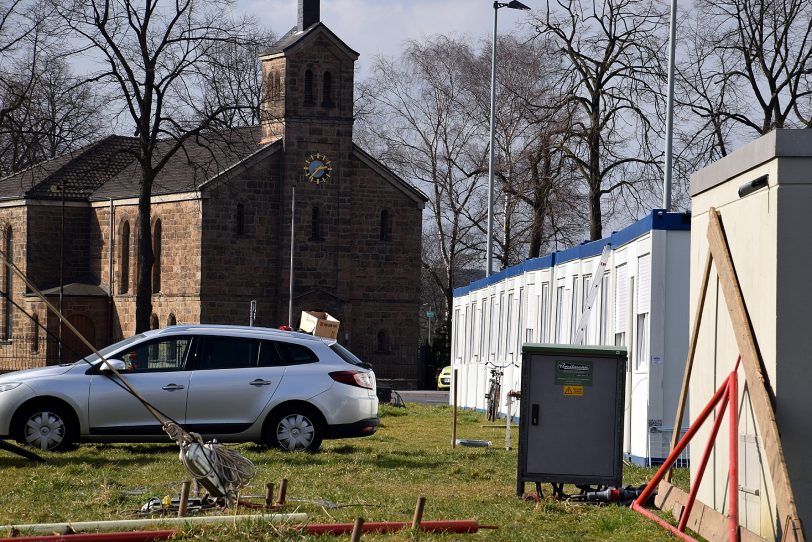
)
(143, 291)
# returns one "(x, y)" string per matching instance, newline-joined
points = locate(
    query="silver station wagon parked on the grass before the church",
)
(236, 384)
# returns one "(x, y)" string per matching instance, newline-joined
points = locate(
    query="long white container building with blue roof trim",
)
(642, 304)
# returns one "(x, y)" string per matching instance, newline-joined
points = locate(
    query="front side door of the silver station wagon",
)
(157, 369)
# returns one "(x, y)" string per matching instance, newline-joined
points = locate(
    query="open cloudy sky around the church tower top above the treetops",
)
(380, 27)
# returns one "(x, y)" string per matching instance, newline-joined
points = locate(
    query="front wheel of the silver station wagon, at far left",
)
(44, 427)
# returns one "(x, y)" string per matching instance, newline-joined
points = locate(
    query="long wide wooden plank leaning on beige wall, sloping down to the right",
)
(760, 393)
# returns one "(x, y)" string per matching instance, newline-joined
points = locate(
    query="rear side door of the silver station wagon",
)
(232, 382)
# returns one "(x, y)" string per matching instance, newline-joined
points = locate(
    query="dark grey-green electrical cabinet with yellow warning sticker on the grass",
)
(571, 423)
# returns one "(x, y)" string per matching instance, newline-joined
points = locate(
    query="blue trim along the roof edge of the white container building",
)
(657, 220)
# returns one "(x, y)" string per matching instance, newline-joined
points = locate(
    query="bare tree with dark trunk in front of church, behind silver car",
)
(155, 56)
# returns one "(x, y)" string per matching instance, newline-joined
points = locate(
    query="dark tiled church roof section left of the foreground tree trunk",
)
(80, 172)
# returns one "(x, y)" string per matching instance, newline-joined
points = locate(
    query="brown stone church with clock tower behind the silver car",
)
(229, 222)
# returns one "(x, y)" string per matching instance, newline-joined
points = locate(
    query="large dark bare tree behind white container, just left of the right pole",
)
(610, 77)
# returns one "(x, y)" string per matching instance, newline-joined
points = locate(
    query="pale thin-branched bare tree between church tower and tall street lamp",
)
(421, 118)
